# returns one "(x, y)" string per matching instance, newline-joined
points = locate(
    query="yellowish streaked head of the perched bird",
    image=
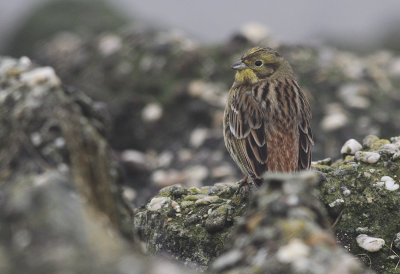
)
(259, 64)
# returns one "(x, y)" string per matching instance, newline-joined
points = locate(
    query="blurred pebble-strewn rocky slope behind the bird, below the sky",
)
(163, 81)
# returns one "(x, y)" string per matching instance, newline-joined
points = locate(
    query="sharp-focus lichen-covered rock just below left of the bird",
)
(193, 225)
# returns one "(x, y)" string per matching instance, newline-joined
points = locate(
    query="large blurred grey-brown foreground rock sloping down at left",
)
(60, 206)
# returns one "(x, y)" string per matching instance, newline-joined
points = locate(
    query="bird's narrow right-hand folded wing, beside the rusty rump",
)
(305, 134)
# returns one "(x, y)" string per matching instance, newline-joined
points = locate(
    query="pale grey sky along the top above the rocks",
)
(214, 20)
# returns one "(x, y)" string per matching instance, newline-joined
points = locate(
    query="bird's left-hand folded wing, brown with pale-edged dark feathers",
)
(247, 126)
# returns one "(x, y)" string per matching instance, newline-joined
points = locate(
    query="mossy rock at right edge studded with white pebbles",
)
(362, 196)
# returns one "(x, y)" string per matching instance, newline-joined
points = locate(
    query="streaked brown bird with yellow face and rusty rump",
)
(266, 122)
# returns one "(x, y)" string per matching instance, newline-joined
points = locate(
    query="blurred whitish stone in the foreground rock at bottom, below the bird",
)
(293, 251)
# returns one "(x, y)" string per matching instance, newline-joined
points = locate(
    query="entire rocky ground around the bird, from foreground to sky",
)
(129, 141)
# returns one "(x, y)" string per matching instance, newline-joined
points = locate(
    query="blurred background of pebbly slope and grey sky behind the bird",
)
(159, 72)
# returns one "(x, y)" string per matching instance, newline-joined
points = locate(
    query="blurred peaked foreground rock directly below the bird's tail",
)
(285, 230)
